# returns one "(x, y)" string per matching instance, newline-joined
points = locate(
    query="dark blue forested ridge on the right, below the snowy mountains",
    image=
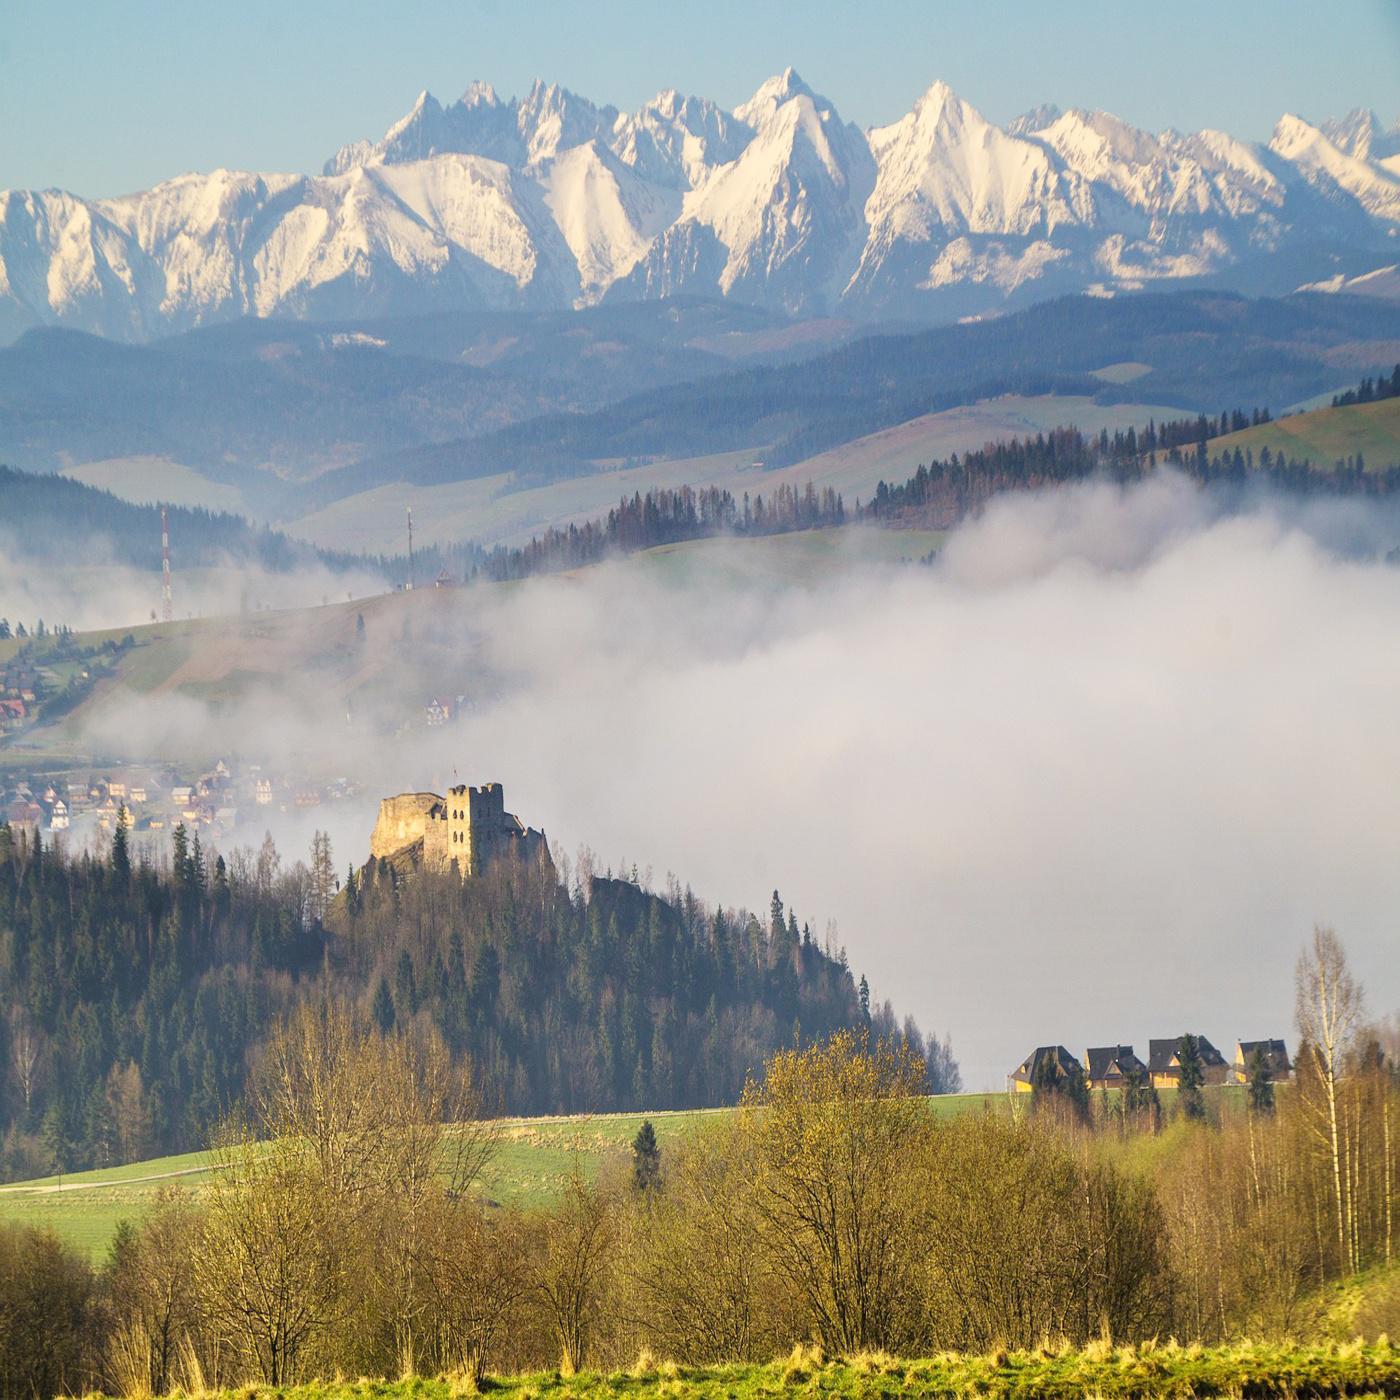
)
(1188, 349)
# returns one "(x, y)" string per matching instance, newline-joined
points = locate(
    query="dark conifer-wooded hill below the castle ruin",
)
(136, 996)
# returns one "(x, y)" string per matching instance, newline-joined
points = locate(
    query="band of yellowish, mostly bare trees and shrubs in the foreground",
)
(344, 1230)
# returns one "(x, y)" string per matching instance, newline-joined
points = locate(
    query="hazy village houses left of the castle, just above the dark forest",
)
(156, 800)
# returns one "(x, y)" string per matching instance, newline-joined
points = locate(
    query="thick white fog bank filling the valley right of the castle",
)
(1090, 779)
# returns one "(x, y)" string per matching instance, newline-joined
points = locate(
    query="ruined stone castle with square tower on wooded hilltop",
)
(468, 828)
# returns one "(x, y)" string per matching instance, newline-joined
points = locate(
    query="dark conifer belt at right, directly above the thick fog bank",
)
(943, 493)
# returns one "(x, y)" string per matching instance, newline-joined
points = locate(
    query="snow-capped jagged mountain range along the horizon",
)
(554, 202)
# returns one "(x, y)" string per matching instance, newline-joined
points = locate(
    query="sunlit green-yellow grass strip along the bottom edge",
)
(1248, 1371)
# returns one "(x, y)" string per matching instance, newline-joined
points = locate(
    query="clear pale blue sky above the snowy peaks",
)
(106, 97)
